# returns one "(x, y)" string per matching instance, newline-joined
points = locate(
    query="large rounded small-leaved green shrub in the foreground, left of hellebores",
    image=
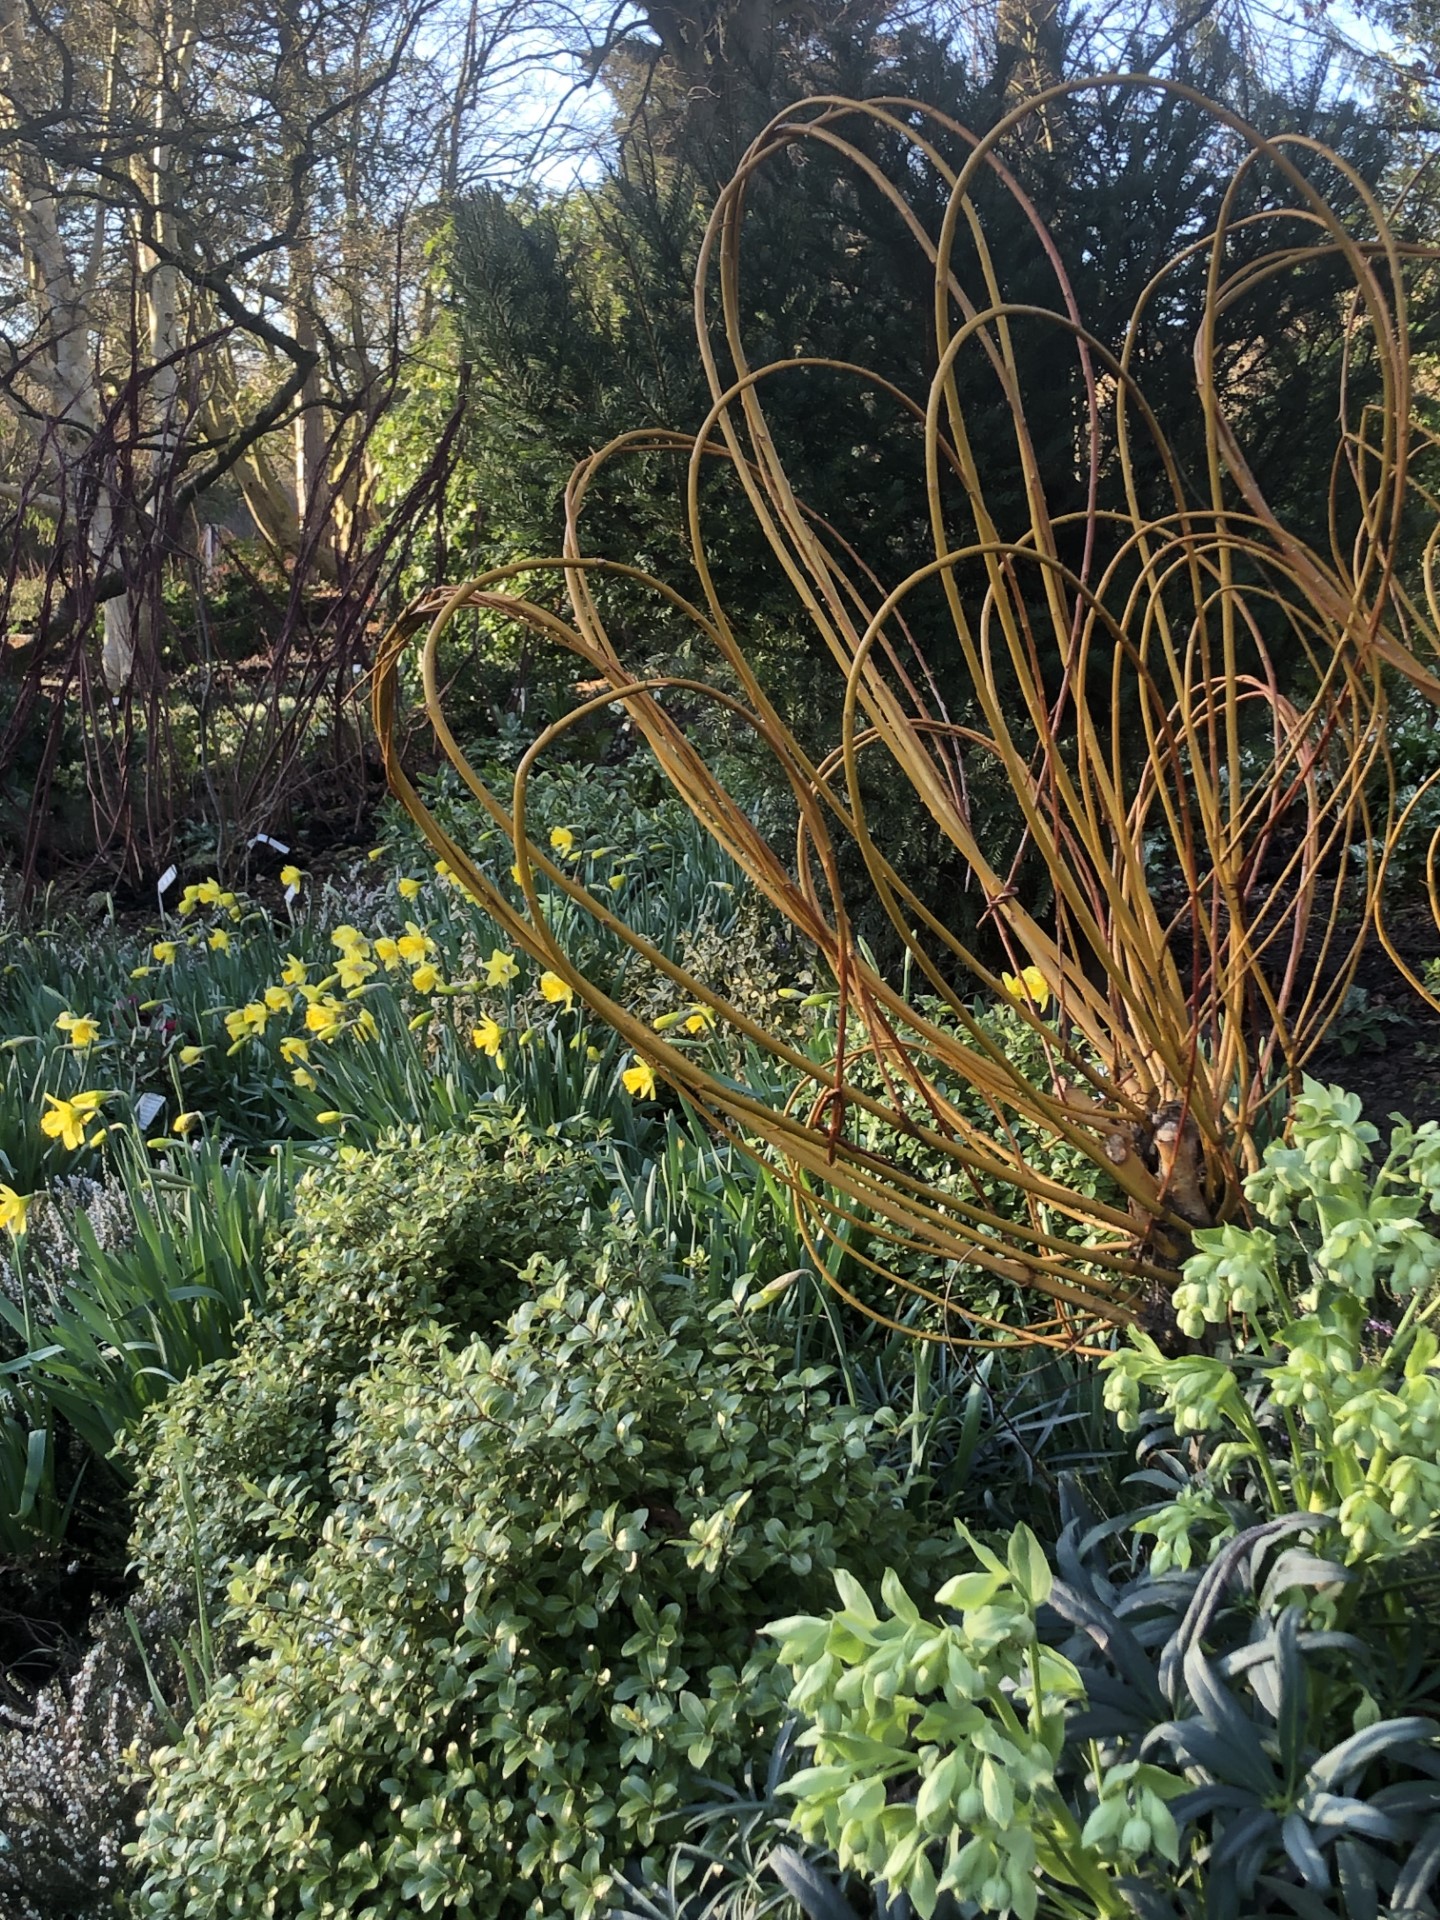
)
(527, 1625)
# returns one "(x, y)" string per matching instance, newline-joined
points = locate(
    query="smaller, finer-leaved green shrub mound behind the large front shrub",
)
(379, 1241)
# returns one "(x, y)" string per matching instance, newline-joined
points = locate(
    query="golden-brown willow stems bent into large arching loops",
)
(1247, 663)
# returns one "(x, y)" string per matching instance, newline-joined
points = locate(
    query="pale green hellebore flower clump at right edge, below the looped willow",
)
(1322, 1395)
